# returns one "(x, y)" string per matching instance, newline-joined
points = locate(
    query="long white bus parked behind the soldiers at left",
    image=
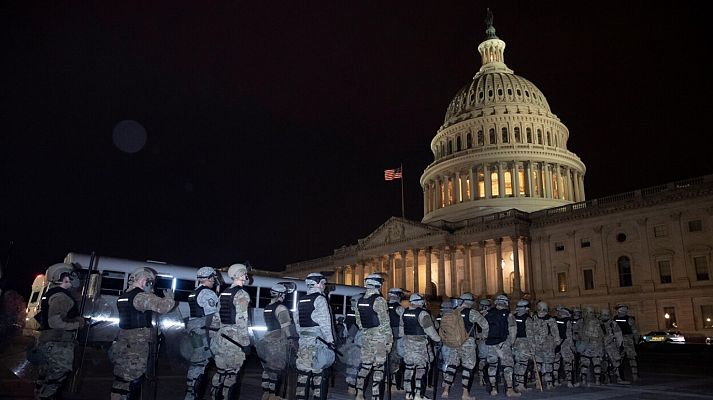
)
(111, 279)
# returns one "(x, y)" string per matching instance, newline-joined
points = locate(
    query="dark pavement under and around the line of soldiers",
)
(668, 371)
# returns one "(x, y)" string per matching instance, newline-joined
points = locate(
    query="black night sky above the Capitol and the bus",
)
(268, 126)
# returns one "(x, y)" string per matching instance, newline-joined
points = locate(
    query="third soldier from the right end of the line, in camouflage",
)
(591, 342)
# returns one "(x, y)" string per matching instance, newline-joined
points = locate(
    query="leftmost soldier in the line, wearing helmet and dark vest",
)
(59, 318)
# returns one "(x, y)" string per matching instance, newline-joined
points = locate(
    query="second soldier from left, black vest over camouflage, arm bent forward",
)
(131, 349)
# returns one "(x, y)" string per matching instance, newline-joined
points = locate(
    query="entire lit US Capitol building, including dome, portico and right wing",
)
(504, 211)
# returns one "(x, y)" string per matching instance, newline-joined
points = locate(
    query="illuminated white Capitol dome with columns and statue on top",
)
(500, 147)
